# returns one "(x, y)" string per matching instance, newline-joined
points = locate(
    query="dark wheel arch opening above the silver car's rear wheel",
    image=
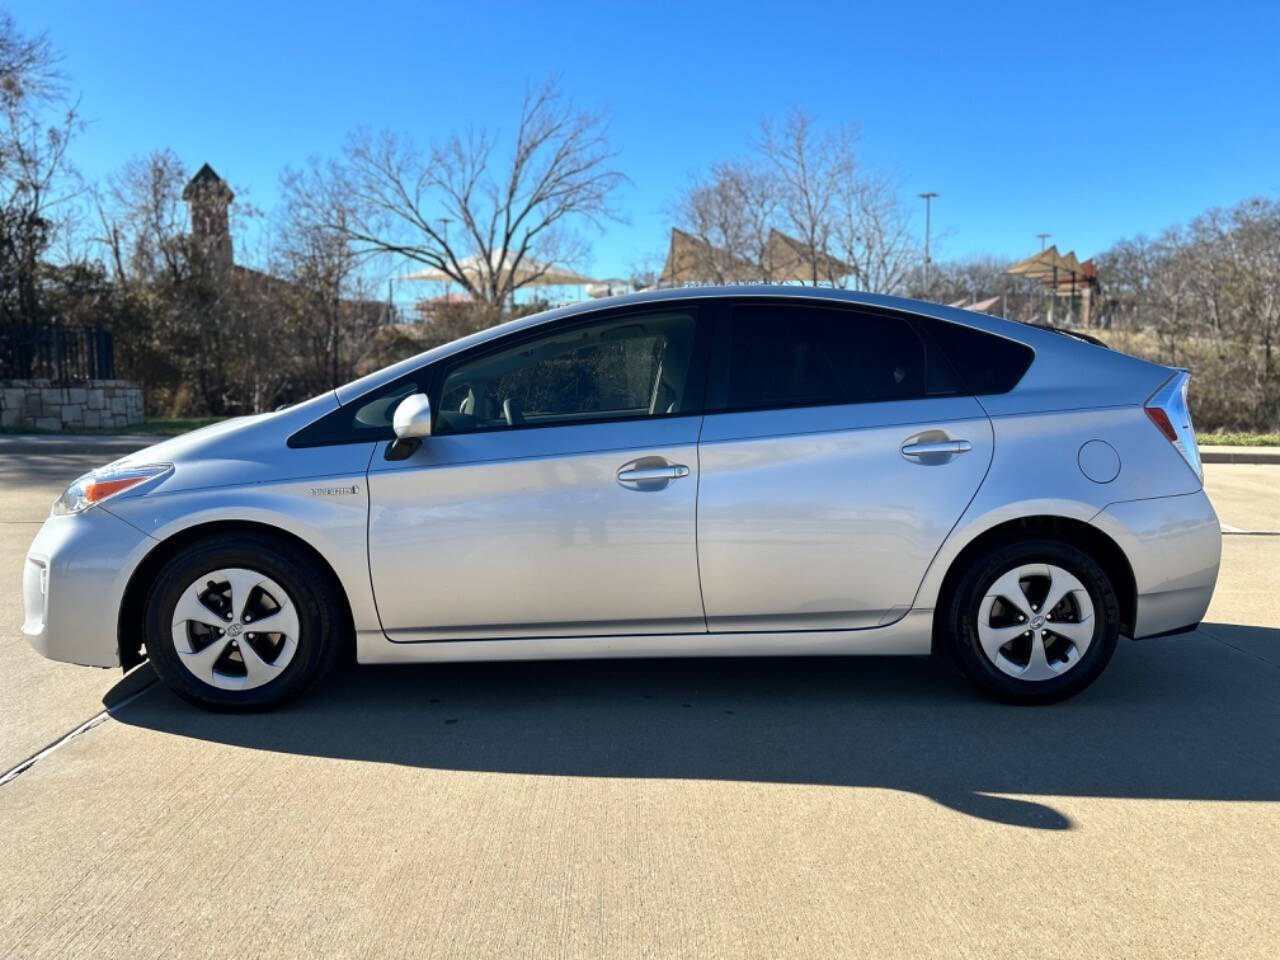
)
(1077, 533)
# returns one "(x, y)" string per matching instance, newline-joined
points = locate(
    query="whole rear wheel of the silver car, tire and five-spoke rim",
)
(1035, 621)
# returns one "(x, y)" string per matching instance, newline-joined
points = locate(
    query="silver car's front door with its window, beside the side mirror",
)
(557, 496)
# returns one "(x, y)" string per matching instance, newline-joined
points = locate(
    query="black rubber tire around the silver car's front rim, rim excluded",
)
(310, 588)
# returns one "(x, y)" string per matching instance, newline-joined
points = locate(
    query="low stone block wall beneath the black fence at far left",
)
(90, 405)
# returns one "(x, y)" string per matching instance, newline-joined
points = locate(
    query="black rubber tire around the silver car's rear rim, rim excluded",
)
(962, 623)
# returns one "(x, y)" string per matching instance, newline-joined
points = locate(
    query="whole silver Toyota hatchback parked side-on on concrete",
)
(716, 472)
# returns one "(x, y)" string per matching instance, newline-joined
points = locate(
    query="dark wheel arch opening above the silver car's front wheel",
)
(134, 601)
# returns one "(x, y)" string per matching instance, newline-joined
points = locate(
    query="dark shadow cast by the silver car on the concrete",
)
(1185, 719)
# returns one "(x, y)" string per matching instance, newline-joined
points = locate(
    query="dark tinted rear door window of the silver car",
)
(787, 355)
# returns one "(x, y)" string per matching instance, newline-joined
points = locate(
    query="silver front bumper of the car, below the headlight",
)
(74, 582)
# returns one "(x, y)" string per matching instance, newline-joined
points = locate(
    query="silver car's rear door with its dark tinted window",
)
(836, 455)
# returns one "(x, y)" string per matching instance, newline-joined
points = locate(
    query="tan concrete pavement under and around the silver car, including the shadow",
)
(701, 808)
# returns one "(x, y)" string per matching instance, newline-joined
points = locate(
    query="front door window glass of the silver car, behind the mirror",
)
(629, 367)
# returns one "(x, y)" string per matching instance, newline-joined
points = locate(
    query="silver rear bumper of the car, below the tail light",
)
(1174, 546)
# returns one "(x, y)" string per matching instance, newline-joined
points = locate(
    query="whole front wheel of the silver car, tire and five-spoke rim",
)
(241, 624)
